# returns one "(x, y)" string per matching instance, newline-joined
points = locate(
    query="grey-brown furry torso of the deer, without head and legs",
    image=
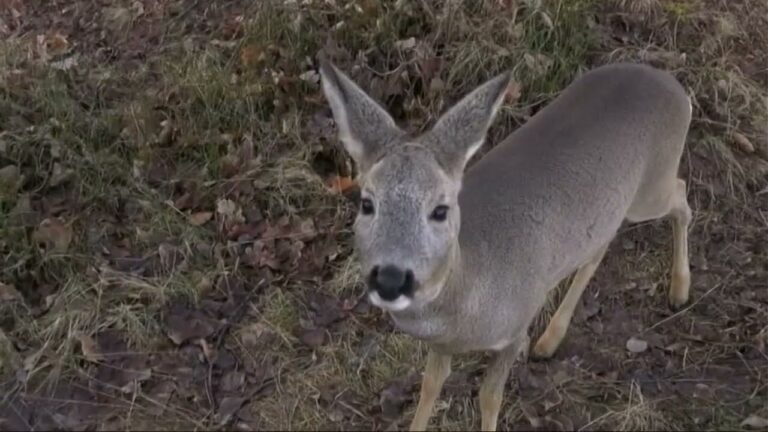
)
(549, 197)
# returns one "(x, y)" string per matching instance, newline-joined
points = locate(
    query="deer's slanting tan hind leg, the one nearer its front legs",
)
(561, 320)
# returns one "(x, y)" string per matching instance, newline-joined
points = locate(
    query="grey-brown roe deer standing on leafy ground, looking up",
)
(464, 260)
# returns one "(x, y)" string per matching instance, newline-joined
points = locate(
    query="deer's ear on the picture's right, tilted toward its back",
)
(461, 131)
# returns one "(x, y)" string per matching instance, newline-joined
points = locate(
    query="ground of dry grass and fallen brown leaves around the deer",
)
(175, 215)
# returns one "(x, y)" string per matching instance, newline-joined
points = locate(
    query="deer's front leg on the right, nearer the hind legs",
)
(492, 388)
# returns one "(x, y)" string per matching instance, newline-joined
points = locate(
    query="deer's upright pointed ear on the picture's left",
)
(364, 126)
